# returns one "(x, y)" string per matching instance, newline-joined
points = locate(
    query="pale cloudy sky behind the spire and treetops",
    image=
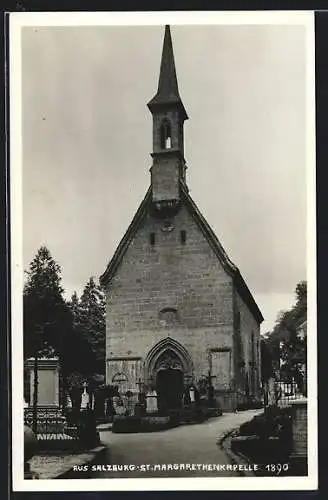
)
(87, 138)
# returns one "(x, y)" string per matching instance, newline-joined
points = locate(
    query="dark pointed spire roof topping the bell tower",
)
(168, 92)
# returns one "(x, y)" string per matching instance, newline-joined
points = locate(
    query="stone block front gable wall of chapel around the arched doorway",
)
(170, 274)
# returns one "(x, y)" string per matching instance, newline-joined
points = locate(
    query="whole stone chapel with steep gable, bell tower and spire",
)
(179, 312)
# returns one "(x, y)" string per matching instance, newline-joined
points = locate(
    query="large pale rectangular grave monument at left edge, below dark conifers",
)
(48, 381)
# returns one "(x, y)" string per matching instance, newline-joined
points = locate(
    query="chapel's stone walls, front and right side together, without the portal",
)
(174, 290)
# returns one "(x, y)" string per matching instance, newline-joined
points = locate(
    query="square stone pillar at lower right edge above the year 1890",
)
(299, 452)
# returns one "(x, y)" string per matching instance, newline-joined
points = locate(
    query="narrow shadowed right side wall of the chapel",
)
(251, 352)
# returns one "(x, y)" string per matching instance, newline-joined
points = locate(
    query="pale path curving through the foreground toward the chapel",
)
(186, 444)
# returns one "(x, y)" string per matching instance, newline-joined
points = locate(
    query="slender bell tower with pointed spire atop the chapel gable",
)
(169, 166)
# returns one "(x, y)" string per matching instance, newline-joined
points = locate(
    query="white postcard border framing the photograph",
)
(17, 21)
